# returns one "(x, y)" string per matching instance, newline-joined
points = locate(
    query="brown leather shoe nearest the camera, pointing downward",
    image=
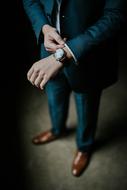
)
(80, 163)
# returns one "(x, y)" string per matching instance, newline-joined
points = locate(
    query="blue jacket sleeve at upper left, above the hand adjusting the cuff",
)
(35, 12)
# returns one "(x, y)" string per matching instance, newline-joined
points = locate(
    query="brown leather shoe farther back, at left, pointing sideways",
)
(44, 137)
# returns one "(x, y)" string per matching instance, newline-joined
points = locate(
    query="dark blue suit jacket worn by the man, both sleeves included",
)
(91, 28)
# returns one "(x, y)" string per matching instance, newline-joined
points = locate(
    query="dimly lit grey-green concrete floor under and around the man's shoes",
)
(49, 166)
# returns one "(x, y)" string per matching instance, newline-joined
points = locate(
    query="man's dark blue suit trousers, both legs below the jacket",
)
(58, 91)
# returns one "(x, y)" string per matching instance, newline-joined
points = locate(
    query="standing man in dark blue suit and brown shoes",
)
(78, 51)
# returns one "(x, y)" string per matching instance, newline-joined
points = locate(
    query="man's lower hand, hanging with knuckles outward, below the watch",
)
(43, 70)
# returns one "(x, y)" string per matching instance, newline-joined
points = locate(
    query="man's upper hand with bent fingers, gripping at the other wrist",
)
(52, 40)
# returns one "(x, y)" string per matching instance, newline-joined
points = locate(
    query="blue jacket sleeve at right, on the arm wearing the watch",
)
(106, 27)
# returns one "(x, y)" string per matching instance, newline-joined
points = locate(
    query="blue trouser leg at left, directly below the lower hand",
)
(58, 93)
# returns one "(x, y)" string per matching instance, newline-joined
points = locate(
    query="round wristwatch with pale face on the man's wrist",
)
(60, 55)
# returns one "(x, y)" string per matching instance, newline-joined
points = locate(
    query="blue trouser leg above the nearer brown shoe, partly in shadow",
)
(87, 105)
